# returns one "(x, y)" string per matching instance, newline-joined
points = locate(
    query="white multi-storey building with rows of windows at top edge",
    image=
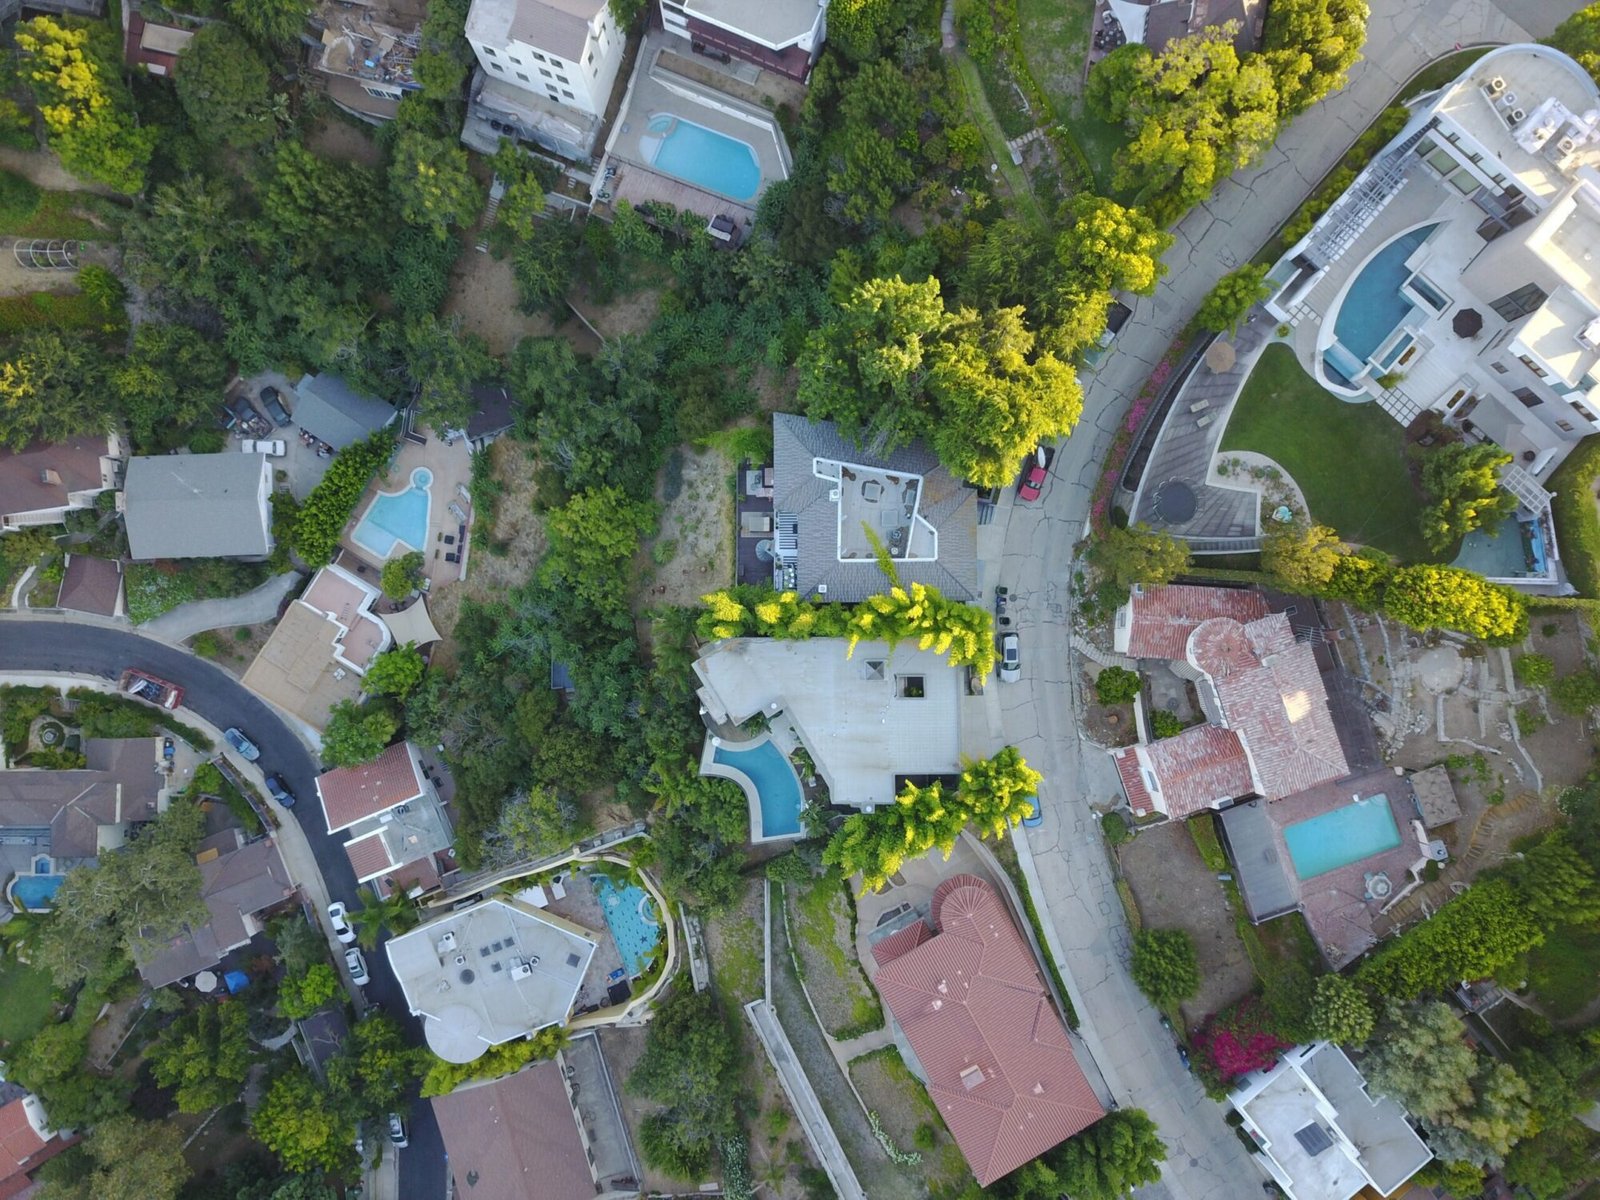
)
(566, 52)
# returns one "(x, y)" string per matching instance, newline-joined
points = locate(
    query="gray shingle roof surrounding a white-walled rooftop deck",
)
(946, 503)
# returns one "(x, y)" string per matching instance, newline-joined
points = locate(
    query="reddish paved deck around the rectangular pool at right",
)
(1340, 918)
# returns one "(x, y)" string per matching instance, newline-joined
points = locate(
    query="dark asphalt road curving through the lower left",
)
(62, 647)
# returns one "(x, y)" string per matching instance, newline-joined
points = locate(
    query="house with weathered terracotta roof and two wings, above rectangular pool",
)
(1270, 730)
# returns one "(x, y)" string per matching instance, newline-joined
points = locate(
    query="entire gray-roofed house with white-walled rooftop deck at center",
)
(828, 494)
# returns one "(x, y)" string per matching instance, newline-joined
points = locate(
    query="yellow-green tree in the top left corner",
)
(73, 68)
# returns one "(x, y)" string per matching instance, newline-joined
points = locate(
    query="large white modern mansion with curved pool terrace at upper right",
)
(1454, 274)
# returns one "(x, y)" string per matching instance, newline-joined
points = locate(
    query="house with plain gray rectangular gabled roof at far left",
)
(199, 506)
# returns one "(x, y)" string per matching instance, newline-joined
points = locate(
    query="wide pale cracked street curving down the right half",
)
(1066, 860)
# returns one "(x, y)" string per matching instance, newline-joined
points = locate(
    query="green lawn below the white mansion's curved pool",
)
(1348, 458)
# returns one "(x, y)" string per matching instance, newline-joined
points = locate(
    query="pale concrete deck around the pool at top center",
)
(654, 89)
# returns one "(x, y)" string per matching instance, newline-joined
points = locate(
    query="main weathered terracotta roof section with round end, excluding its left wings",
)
(1271, 694)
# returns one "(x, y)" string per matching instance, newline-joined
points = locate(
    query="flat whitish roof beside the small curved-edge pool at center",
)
(854, 714)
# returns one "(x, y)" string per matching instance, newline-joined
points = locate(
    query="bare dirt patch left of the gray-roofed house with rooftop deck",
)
(694, 551)
